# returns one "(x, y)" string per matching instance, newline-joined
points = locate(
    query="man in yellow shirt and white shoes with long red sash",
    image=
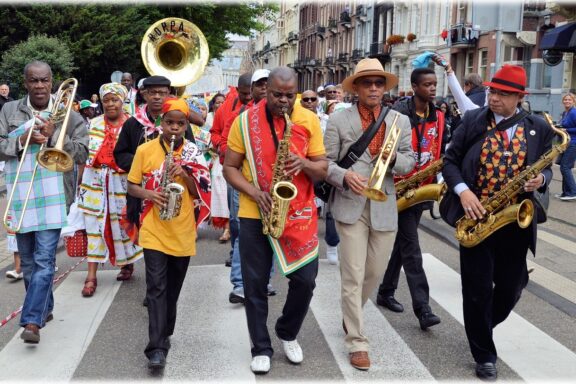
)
(254, 143)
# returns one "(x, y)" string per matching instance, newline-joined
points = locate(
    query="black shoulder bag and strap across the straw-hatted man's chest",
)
(323, 189)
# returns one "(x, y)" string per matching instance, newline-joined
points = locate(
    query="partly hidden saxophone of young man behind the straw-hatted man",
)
(409, 192)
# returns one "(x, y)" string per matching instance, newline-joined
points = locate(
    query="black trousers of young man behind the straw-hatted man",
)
(406, 253)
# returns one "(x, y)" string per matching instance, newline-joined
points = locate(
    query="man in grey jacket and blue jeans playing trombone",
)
(51, 192)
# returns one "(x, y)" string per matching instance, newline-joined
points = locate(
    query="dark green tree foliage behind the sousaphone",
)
(105, 38)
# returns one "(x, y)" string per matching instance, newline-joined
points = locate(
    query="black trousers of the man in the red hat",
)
(493, 275)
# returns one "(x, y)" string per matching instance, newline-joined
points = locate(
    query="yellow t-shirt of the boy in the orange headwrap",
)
(175, 237)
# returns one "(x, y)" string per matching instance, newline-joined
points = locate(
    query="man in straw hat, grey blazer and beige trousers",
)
(366, 227)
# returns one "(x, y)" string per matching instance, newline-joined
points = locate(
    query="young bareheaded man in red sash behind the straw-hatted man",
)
(427, 129)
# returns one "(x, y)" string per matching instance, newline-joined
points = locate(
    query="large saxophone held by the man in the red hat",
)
(500, 211)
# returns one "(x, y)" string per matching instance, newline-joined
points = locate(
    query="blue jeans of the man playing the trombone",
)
(38, 258)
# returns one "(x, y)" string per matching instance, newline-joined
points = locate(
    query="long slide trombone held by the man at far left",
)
(54, 159)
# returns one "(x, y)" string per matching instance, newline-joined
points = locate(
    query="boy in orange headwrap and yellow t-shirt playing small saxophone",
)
(168, 244)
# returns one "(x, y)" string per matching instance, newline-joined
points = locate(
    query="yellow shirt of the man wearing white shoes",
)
(300, 116)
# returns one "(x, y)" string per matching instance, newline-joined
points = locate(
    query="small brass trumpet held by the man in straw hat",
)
(374, 189)
